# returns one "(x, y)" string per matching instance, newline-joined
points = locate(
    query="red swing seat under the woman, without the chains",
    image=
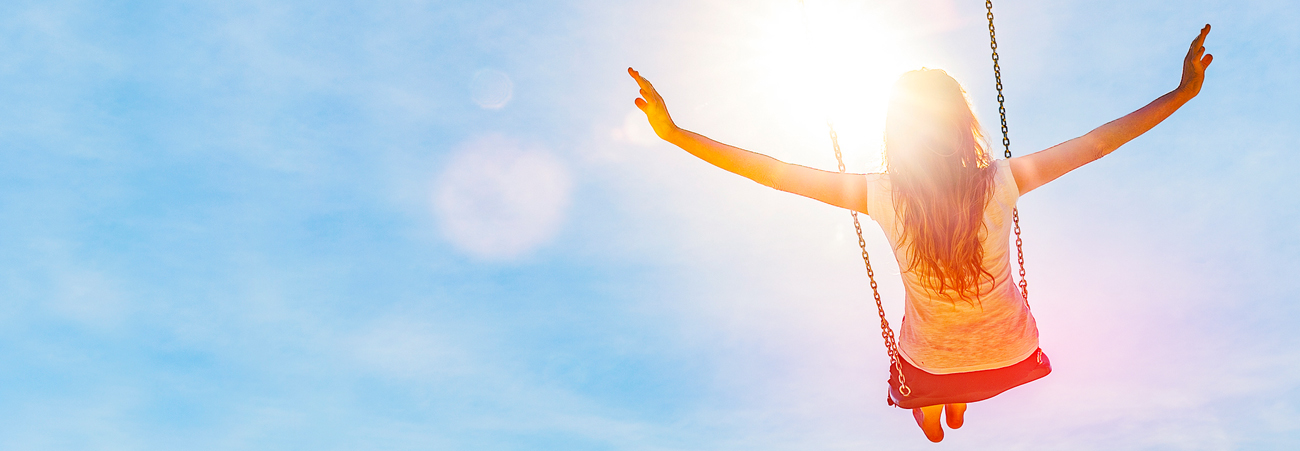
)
(964, 388)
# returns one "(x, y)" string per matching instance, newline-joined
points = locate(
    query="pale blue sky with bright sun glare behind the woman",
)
(439, 225)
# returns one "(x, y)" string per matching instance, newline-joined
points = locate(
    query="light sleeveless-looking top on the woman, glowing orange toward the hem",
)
(942, 336)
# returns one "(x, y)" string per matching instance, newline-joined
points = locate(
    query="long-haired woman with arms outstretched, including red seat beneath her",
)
(946, 207)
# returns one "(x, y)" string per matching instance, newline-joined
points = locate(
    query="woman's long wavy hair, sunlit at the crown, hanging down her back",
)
(943, 180)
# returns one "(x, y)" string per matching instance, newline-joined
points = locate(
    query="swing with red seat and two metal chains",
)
(900, 392)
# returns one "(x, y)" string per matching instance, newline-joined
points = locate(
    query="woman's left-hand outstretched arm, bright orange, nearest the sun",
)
(837, 189)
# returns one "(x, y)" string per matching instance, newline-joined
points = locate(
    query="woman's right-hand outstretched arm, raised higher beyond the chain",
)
(1037, 170)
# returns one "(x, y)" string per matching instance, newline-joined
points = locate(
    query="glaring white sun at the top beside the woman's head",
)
(839, 68)
